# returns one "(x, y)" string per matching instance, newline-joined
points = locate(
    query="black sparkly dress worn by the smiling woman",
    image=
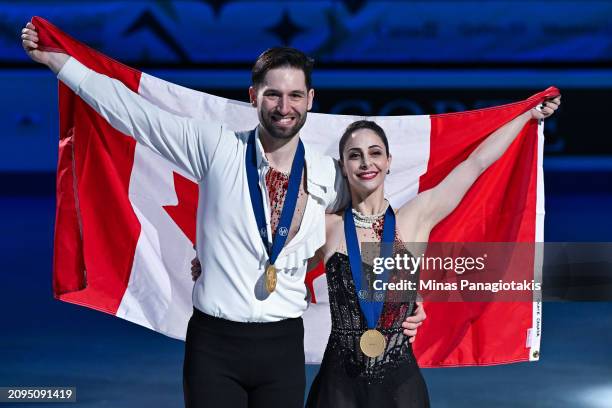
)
(350, 379)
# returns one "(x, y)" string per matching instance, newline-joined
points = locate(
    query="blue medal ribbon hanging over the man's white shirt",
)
(282, 230)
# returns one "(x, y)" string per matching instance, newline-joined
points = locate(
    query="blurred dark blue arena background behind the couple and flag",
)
(372, 58)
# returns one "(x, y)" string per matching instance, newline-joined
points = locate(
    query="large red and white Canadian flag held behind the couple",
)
(125, 221)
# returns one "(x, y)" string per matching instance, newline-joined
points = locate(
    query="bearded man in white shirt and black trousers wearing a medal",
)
(244, 344)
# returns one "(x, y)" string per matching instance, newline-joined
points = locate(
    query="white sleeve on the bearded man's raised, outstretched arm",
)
(189, 143)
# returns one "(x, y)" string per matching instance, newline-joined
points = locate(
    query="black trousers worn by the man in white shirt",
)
(231, 364)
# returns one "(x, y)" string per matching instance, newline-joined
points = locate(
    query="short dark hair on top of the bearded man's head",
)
(278, 57)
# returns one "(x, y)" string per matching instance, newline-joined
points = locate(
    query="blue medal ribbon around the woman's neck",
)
(371, 308)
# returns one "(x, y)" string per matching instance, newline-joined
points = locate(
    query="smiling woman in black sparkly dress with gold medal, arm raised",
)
(352, 374)
